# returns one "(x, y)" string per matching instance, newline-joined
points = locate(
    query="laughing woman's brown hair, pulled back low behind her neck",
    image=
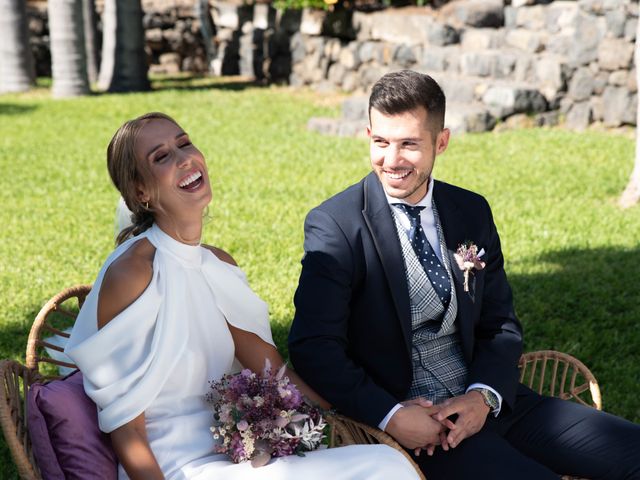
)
(128, 172)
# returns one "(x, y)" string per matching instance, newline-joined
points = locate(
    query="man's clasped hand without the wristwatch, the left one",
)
(413, 426)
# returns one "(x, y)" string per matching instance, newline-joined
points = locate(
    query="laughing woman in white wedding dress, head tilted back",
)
(168, 314)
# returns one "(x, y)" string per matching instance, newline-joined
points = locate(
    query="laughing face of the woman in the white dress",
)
(174, 170)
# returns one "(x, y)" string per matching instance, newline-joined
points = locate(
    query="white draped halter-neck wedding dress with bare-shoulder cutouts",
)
(159, 355)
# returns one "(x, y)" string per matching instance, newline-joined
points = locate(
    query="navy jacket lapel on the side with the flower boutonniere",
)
(454, 230)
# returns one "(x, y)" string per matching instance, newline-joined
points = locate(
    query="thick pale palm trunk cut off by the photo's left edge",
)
(16, 61)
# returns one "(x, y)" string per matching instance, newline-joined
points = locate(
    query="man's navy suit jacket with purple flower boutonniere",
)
(351, 334)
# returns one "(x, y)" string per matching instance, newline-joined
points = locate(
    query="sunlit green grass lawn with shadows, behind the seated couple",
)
(571, 254)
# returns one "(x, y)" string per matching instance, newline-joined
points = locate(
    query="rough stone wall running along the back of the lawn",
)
(570, 59)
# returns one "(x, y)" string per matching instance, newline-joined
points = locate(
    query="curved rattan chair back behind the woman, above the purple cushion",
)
(57, 315)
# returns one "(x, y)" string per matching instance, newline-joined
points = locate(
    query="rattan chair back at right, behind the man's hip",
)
(558, 374)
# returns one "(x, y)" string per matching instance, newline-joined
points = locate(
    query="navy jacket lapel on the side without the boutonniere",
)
(378, 218)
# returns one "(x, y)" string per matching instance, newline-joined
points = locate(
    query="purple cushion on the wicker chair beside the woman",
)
(66, 440)
